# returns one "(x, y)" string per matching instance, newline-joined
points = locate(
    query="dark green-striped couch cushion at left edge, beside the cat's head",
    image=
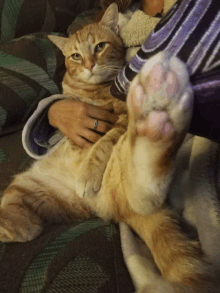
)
(31, 68)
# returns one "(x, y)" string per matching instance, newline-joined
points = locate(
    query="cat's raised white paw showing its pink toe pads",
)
(161, 99)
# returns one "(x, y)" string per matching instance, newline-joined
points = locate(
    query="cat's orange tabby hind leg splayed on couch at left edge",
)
(30, 202)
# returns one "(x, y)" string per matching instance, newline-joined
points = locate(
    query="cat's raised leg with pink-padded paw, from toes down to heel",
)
(160, 103)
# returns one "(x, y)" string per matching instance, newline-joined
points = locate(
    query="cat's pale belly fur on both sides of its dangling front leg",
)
(59, 172)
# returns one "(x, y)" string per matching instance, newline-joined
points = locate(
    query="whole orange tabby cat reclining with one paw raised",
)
(124, 177)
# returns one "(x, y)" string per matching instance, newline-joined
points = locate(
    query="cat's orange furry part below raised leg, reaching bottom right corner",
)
(182, 264)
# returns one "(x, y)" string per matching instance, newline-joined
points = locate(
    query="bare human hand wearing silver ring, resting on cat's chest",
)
(77, 120)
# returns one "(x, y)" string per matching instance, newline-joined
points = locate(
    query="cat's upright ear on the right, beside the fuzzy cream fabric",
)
(110, 17)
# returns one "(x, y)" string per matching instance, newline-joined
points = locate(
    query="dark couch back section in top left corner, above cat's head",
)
(22, 17)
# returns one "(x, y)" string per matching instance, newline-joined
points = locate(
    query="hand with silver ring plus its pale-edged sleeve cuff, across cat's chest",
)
(58, 116)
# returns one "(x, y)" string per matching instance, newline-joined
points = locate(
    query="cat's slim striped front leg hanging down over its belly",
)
(92, 168)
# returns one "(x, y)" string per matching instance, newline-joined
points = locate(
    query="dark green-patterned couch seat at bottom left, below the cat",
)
(82, 257)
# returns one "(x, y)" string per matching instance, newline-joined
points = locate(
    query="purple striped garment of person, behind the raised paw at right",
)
(177, 34)
